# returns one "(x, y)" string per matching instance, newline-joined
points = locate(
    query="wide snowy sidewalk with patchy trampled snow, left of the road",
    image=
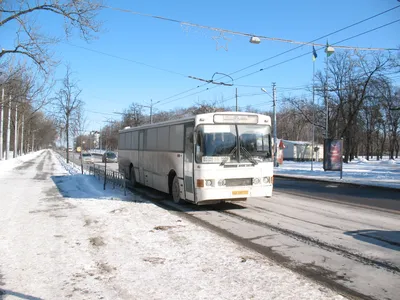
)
(63, 237)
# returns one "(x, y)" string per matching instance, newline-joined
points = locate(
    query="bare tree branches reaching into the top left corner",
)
(29, 41)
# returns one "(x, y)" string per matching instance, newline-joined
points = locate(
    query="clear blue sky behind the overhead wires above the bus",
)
(112, 84)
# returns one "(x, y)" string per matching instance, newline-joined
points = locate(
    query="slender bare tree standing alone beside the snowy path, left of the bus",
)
(67, 103)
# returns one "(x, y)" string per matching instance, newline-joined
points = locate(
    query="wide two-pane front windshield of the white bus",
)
(218, 143)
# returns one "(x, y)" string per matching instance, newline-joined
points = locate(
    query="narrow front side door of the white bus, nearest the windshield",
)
(188, 163)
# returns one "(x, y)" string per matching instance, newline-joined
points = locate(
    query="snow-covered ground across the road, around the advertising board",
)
(384, 172)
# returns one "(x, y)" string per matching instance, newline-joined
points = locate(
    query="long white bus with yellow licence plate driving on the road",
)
(207, 158)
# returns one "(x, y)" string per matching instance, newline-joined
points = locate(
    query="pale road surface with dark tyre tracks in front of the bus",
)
(351, 248)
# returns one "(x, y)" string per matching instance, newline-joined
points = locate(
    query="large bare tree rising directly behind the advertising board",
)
(350, 78)
